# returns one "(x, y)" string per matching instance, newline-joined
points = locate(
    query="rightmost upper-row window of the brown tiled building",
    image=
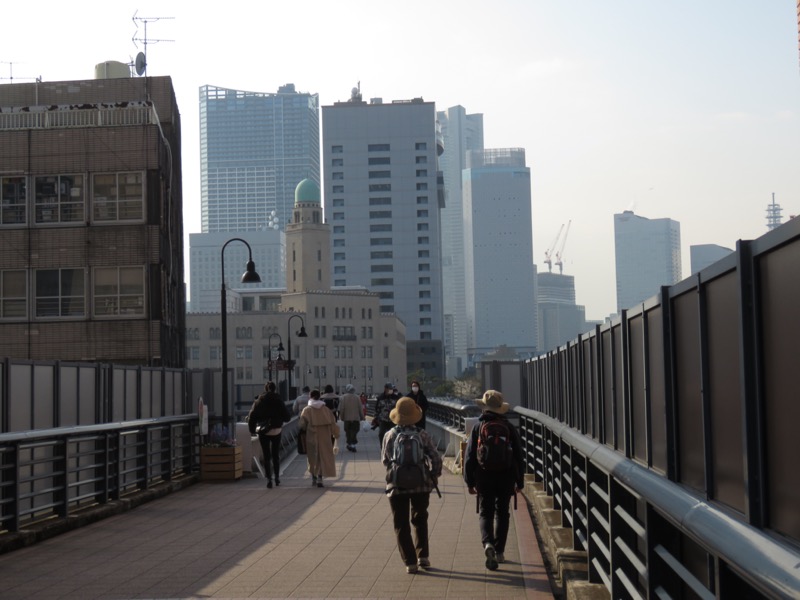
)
(117, 197)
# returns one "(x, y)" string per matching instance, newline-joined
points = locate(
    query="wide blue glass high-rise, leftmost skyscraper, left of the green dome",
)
(254, 149)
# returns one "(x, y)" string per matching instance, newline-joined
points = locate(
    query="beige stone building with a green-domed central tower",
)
(350, 340)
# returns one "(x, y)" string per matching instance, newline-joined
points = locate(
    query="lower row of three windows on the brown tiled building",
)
(64, 293)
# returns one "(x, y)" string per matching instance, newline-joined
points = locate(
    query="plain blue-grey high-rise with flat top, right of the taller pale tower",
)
(498, 244)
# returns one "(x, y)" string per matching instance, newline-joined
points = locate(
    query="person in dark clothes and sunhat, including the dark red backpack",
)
(494, 469)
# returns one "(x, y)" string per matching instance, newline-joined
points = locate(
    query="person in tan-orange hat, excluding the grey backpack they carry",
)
(410, 506)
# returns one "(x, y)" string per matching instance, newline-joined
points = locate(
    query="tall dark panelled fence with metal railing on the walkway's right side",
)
(668, 437)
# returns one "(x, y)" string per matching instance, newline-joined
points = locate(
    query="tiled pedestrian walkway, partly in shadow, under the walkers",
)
(241, 540)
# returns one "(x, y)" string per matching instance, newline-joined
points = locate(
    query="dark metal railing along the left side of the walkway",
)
(55, 473)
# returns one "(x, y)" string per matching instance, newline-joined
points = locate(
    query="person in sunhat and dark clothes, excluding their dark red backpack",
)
(494, 488)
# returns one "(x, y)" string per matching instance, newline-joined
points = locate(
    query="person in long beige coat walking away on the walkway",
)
(321, 430)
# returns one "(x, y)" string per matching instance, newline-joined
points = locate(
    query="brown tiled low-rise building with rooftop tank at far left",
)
(91, 221)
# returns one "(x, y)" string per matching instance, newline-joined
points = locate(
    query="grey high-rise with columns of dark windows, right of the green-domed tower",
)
(383, 198)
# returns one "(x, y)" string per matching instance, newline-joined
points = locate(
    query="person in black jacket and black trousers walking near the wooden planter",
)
(266, 418)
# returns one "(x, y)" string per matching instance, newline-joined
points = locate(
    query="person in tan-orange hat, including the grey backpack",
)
(413, 467)
